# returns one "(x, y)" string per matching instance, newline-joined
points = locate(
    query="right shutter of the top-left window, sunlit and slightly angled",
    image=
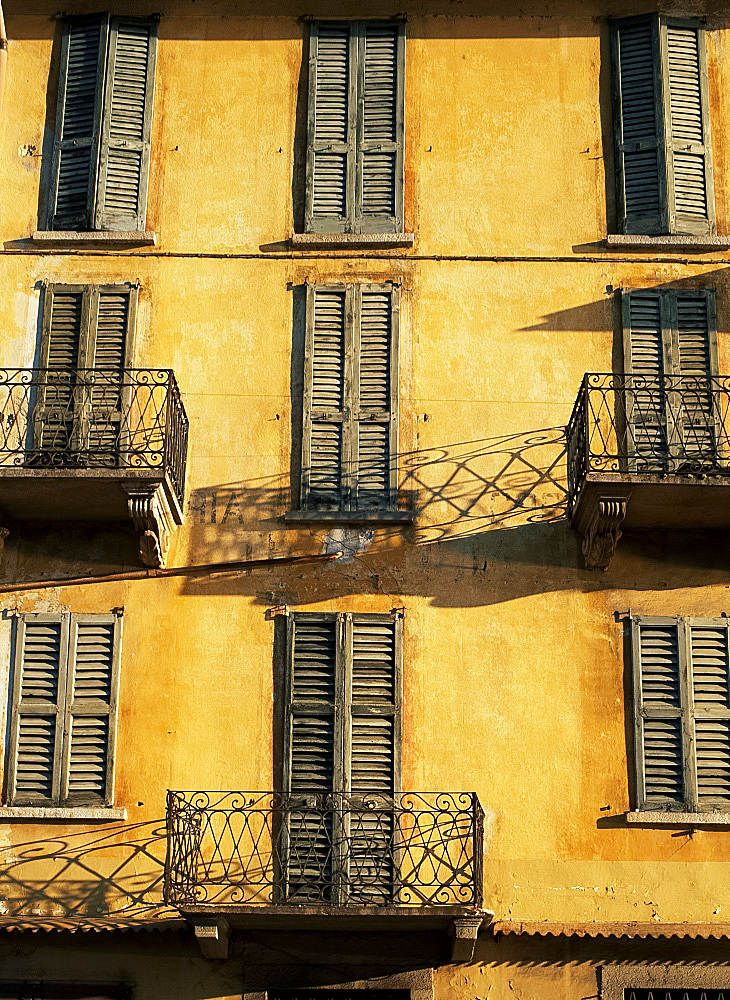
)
(127, 125)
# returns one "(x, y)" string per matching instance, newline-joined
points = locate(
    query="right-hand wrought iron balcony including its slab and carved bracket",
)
(647, 452)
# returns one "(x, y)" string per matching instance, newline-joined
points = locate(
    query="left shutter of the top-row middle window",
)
(331, 128)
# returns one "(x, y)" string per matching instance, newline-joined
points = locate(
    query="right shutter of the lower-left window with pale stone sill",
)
(91, 700)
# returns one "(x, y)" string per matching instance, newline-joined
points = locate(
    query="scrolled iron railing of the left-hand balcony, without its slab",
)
(93, 418)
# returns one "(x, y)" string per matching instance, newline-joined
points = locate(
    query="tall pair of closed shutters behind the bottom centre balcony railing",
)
(342, 755)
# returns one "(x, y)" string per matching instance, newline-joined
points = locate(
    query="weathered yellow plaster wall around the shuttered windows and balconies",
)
(515, 682)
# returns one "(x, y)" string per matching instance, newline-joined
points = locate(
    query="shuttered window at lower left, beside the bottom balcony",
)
(63, 720)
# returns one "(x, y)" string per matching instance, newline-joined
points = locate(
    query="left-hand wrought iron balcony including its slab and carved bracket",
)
(94, 444)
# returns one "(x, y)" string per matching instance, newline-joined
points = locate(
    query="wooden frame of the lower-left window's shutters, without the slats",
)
(64, 711)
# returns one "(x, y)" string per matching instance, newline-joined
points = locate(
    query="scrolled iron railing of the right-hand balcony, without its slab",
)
(666, 425)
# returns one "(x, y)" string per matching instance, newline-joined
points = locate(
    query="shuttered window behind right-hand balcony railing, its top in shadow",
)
(673, 411)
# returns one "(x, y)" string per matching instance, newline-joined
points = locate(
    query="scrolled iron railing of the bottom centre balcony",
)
(415, 849)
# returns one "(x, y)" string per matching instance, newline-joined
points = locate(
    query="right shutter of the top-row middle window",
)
(379, 179)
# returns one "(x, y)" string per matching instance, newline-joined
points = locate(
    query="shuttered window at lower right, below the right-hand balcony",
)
(682, 713)
